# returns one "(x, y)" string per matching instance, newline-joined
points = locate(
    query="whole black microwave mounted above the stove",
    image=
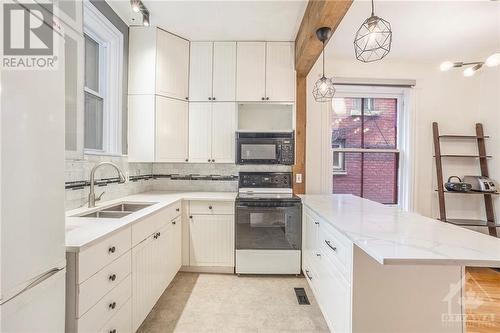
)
(265, 148)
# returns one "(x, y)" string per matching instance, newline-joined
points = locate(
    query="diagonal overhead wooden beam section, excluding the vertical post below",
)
(319, 13)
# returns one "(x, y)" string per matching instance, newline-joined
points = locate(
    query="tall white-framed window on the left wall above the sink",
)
(103, 84)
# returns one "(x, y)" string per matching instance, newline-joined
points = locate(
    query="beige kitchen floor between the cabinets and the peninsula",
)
(228, 303)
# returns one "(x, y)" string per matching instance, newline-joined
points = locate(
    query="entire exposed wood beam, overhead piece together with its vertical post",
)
(319, 13)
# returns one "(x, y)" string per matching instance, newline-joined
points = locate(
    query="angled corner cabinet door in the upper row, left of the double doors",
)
(172, 71)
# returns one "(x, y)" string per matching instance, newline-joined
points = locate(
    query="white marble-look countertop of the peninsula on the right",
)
(392, 236)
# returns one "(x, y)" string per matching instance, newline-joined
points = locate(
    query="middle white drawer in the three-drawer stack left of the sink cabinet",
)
(99, 284)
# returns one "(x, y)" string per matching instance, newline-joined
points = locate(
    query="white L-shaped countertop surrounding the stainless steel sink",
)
(82, 232)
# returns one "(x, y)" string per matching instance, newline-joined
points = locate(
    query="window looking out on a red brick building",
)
(365, 139)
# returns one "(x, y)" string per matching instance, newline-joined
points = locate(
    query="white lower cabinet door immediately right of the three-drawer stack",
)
(143, 281)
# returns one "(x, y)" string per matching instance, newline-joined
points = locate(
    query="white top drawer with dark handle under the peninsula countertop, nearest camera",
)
(336, 248)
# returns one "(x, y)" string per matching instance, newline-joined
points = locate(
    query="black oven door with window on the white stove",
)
(267, 226)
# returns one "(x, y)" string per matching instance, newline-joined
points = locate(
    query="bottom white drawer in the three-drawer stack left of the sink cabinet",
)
(106, 308)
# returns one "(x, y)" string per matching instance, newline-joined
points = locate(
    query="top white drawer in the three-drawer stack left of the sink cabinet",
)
(99, 255)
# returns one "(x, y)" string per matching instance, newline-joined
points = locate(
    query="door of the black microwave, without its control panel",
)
(258, 151)
